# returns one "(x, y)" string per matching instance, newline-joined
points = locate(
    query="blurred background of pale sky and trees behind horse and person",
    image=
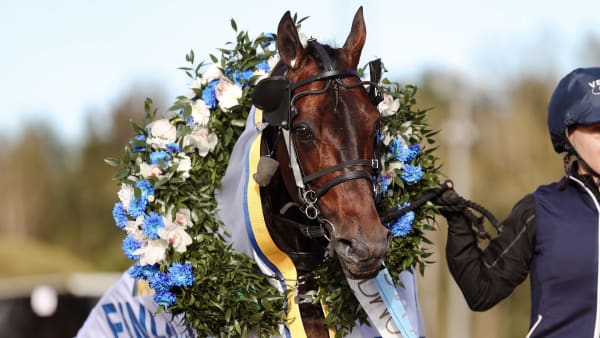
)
(73, 73)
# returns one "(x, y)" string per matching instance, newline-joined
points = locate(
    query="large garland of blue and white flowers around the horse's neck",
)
(168, 174)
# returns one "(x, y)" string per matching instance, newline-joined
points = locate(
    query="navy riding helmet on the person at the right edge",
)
(576, 100)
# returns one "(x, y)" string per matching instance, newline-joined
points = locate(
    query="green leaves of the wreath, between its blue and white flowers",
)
(229, 295)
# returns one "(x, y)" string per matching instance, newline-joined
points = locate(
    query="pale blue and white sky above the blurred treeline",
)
(62, 60)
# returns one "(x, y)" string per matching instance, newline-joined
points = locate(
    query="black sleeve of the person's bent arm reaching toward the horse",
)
(487, 276)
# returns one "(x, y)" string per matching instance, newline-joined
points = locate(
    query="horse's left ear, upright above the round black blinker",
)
(288, 41)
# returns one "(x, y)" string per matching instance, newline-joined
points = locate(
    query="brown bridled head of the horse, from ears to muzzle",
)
(329, 139)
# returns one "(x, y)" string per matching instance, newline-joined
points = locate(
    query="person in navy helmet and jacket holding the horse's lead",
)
(552, 234)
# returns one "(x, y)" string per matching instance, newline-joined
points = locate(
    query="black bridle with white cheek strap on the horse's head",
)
(277, 96)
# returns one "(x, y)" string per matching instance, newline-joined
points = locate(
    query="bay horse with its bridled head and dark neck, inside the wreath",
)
(321, 130)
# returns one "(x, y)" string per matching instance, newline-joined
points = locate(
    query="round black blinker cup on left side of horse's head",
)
(273, 96)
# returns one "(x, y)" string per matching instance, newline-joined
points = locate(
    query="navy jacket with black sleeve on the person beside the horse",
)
(552, 235)
